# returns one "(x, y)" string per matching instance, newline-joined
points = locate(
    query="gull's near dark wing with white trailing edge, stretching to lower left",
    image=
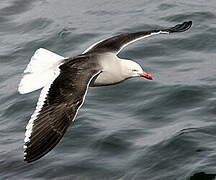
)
(64, 98)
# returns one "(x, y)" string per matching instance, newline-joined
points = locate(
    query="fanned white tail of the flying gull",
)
(40, 70)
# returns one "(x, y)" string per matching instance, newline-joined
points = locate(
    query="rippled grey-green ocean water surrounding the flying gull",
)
(137, 130)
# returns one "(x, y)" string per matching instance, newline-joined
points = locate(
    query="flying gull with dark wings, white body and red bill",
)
(65, 82)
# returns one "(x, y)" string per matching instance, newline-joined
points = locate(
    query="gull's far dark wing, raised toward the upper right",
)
(116, 43)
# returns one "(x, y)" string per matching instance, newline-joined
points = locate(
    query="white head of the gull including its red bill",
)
(132, 69)
